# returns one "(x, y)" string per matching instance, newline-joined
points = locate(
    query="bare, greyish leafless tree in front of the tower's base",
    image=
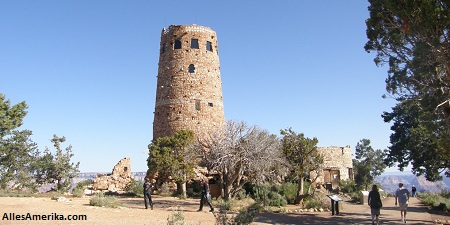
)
(241, 154)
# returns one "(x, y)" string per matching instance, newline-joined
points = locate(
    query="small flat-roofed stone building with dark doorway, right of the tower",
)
(337, 165)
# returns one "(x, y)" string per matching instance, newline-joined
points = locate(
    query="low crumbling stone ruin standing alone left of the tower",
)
(118, 180)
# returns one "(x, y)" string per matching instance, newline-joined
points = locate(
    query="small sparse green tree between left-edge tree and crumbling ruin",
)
(57, 168)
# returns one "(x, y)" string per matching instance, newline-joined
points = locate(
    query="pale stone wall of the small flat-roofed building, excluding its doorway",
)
(336, 158)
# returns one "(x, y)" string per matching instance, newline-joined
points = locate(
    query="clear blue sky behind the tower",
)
(87, 70)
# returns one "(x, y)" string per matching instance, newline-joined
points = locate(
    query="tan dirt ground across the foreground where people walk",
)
(133, 212)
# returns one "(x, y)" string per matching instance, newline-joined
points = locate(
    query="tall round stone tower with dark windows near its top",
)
(189, 87)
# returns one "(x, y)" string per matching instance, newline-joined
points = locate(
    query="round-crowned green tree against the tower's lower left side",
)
(173, 157)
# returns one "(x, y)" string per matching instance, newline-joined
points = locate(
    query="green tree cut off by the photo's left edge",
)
(17, 152)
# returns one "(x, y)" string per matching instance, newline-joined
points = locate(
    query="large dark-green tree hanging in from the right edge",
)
(412, 37)
